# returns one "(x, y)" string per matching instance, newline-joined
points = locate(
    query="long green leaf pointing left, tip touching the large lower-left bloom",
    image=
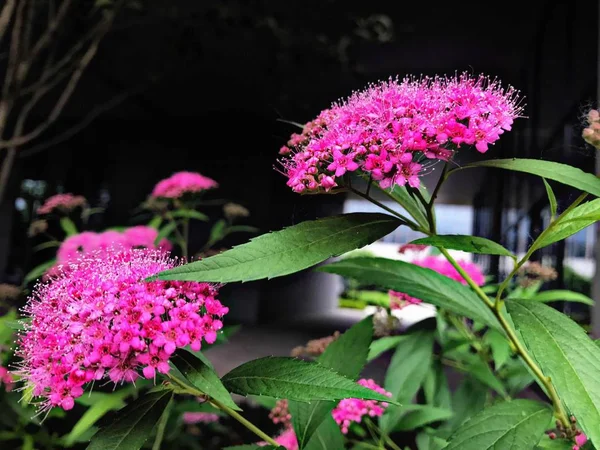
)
(287, 251)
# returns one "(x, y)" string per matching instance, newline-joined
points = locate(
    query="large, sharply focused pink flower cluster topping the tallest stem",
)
(391, 128)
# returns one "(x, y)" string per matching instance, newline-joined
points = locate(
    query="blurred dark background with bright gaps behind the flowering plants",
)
(211, 87)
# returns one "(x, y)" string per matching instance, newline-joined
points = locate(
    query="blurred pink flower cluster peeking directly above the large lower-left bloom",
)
(140, 236)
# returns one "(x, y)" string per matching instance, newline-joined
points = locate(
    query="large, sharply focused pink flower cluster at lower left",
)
(100, 319)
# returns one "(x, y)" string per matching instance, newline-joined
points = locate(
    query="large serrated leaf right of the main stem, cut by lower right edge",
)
(567, 355)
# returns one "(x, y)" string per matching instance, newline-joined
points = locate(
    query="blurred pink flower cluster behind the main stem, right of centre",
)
(399, 300)
